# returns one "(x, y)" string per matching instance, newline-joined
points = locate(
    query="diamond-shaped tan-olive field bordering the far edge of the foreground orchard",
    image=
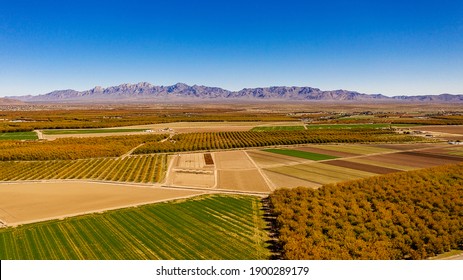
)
(321, 173)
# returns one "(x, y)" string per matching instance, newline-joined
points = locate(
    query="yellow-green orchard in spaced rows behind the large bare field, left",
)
(139, 169)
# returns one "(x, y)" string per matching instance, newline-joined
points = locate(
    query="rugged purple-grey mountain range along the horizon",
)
(145, 92)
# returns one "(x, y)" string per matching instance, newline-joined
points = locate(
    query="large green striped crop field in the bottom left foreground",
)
(207, 227)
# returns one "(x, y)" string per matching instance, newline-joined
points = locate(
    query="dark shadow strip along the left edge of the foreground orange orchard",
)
(271, 227)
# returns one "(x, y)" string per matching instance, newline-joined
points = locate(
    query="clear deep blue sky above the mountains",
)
(390, 47)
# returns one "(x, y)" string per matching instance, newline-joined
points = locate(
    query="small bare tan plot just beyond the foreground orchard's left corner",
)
(242, 180)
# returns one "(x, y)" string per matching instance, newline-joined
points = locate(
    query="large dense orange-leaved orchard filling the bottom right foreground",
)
(408, 215)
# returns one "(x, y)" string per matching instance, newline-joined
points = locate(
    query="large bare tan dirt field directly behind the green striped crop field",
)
(31, 202)
